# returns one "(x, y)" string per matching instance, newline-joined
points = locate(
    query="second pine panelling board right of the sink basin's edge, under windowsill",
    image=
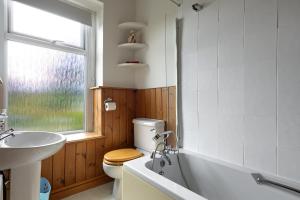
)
(80, 161)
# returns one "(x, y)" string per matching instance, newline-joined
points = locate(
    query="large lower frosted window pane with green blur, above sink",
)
(45, 89)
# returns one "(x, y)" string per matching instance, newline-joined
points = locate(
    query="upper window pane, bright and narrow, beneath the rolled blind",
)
(38, 23)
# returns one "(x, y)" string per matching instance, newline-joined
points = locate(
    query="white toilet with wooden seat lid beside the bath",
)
(143, 134)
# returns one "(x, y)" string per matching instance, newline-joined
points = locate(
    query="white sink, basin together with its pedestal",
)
(23, 154)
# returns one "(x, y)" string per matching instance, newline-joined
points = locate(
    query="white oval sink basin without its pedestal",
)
(28, 147)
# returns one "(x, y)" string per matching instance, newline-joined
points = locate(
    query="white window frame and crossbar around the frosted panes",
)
(92, 39)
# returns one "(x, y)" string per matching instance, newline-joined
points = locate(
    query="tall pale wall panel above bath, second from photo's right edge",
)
(260, 84)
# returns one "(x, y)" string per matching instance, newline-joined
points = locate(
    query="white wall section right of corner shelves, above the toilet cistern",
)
(160, 36)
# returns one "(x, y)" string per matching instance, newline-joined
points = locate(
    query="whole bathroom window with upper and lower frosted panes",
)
(47, 61)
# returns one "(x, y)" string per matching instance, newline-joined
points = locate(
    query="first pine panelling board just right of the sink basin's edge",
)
(70, 164)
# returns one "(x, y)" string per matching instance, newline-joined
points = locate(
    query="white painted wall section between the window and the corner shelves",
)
(115, 12)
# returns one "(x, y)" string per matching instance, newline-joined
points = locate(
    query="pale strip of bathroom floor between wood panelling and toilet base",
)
(102, 192)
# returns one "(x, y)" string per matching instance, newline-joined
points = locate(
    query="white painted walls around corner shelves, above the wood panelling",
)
(160, 35)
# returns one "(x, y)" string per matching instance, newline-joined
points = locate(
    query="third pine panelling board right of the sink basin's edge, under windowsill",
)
(90, 159)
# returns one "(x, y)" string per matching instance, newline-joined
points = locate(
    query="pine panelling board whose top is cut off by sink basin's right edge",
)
(59, 169)
